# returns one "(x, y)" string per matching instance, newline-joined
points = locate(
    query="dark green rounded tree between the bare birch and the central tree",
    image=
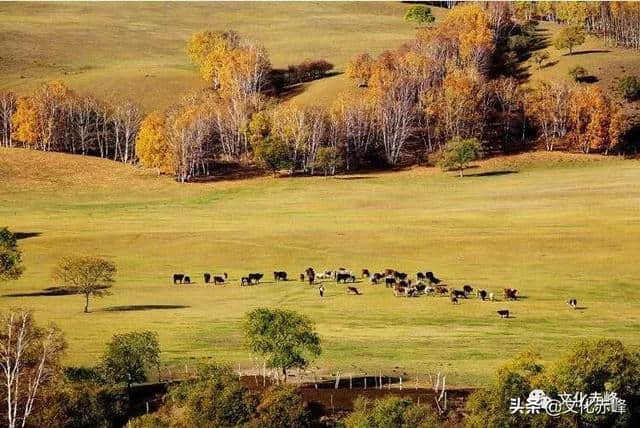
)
(129, 356)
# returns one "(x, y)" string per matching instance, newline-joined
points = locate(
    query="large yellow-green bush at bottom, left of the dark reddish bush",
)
(214, 398)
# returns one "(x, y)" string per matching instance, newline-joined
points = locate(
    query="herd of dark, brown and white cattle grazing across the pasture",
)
(426, 283)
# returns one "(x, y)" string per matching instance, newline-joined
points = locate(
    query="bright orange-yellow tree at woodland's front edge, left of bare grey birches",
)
(152, 145)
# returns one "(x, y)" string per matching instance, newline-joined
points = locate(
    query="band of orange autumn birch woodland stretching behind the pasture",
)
(450, 83)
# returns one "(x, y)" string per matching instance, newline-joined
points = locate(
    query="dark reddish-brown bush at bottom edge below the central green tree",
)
(281, 406)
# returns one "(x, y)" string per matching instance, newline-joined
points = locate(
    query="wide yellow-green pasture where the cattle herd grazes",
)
(553, 226)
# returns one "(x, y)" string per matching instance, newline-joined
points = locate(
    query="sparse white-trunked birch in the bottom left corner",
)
(29, 362)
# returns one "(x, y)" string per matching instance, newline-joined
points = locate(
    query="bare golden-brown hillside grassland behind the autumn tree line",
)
(137, 50)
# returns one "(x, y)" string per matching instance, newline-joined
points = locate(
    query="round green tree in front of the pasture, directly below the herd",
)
(285, 338)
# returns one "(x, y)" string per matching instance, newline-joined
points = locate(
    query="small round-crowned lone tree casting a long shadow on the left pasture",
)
(90, 276)
